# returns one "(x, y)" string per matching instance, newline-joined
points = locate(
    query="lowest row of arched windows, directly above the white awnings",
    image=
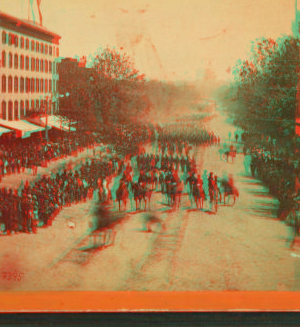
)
(13, 108)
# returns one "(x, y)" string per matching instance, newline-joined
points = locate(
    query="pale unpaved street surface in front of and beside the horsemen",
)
(241, 247)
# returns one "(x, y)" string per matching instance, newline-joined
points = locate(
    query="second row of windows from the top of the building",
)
(33, 64)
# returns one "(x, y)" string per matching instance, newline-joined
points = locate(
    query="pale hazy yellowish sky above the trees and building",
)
(172, 39)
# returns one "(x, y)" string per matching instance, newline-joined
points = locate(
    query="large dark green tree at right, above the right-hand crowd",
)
(263, 95)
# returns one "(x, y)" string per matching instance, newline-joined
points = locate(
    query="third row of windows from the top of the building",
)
(27, 85)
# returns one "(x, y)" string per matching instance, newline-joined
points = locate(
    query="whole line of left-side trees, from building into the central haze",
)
(111, 90)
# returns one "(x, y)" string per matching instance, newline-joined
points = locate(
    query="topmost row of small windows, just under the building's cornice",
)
(12, 39)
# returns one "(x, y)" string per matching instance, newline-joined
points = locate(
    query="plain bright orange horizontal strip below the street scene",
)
(148, 301)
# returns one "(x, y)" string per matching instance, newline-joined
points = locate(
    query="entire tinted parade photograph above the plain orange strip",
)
(149, 146)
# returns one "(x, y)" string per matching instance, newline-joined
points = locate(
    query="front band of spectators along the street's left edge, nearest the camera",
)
(38, 204)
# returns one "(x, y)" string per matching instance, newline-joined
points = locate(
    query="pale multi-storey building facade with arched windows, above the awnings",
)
(28, 68)
